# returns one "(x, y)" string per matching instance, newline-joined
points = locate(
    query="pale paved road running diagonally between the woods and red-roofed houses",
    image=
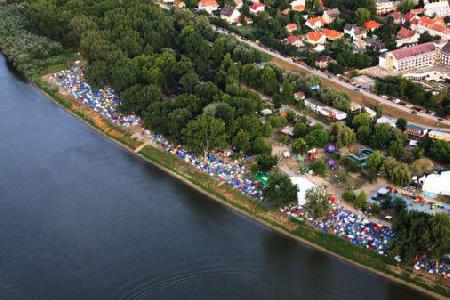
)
(334, 79)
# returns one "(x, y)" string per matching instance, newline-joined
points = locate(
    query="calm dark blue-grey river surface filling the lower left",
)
(81, 218)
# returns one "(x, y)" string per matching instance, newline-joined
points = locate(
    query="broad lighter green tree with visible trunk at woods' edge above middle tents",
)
(204, 135)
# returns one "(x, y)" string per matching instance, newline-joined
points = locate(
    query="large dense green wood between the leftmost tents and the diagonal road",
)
(169, 68)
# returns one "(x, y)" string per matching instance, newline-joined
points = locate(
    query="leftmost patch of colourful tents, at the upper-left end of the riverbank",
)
(103, 101)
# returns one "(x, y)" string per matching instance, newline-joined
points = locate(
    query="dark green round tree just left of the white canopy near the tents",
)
(279, 191)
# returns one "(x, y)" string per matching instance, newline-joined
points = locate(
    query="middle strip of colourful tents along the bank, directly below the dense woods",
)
(231, 173)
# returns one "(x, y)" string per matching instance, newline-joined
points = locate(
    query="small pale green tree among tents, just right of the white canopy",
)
(317, 203)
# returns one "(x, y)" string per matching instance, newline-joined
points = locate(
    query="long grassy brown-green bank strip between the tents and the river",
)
(241, 203)
